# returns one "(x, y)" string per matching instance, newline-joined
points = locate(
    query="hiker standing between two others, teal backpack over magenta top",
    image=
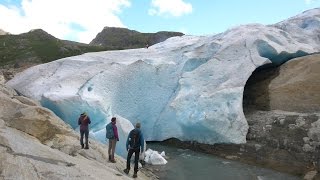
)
(113, 140)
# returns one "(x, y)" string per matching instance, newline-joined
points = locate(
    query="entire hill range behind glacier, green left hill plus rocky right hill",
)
(37, 46)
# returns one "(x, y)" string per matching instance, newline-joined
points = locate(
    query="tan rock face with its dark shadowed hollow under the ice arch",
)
(294, 86)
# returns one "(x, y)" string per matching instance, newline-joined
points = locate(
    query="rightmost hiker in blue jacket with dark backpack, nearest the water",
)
(135, 141)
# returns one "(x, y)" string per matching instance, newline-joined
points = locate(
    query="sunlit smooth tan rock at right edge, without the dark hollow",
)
(297, 87)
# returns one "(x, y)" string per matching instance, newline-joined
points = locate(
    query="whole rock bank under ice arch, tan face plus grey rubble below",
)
(282, 107)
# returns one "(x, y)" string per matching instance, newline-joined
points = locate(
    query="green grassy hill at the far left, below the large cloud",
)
(39, 47)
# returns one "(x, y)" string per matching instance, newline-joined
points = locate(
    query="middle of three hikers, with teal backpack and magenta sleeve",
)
(113, 137)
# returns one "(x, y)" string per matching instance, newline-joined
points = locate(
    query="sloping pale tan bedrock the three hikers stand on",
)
(36, 144)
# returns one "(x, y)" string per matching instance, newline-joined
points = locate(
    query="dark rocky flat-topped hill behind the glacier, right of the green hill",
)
(122, 38)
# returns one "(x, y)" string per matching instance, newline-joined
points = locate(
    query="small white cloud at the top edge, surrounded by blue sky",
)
(169, 8)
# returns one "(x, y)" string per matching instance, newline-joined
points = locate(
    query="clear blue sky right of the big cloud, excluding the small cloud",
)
(213, 16)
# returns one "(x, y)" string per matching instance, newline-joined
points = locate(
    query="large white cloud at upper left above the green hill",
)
(59, 17)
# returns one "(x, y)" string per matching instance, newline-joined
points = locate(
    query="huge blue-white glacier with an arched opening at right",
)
(188, 87)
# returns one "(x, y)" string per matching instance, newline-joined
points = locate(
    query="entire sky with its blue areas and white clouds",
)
(82, 20)
